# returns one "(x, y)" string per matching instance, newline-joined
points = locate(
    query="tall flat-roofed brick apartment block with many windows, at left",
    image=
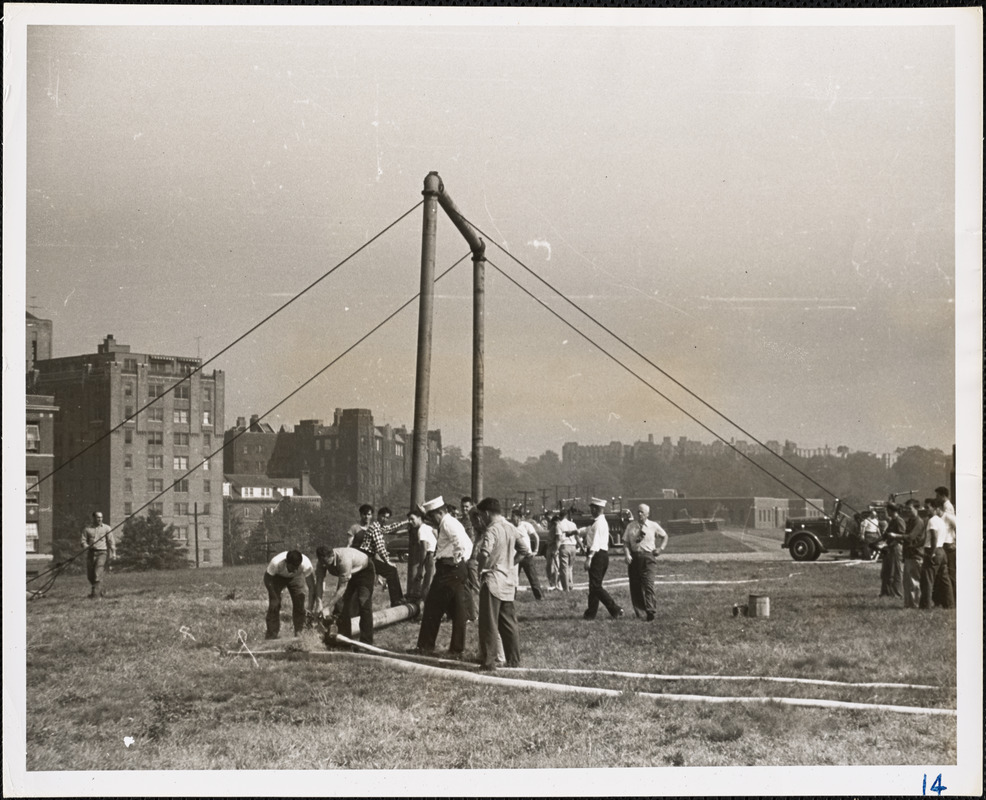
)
(121, 473)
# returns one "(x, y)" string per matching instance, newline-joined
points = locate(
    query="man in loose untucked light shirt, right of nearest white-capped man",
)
(502, 546)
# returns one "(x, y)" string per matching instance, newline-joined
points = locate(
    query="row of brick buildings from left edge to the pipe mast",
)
(126, 433)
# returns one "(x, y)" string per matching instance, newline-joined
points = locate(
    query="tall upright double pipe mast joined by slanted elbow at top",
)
(434, 192)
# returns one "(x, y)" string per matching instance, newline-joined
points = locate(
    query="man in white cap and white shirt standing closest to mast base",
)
(449, 589)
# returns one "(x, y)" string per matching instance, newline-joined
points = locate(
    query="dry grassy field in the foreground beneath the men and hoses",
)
(155, 661)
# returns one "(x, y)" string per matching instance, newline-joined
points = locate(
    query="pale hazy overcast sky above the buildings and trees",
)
(767, 213)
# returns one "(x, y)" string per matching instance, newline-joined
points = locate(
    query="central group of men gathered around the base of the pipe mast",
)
(464, 571)
